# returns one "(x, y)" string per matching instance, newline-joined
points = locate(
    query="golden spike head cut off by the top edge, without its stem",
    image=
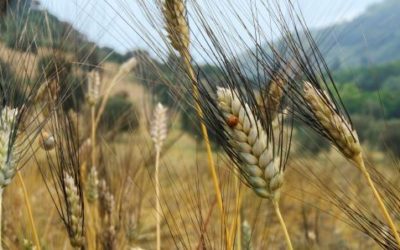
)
(176, 24)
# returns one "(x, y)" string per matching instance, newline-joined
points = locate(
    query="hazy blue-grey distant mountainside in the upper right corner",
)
(371, 38)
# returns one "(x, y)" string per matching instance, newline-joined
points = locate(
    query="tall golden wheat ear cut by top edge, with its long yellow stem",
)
(178, 34)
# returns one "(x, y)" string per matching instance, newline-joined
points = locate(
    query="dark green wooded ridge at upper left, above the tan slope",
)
(28, 27)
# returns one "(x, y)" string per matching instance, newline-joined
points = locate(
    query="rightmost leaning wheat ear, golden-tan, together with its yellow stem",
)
(346, 140)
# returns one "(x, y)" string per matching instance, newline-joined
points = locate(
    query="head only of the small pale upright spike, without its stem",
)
(158, 129)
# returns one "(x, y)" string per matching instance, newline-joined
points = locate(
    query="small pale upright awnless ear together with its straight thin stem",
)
(158, 133)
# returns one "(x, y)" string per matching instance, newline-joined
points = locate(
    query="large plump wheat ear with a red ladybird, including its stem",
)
(248, 139)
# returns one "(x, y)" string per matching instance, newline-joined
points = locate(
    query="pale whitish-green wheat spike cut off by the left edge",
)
(7, 155)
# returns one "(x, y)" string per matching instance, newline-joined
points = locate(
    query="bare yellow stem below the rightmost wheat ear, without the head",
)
(359, 161)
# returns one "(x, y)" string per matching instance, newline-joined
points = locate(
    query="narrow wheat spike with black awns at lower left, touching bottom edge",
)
(75, 213)
